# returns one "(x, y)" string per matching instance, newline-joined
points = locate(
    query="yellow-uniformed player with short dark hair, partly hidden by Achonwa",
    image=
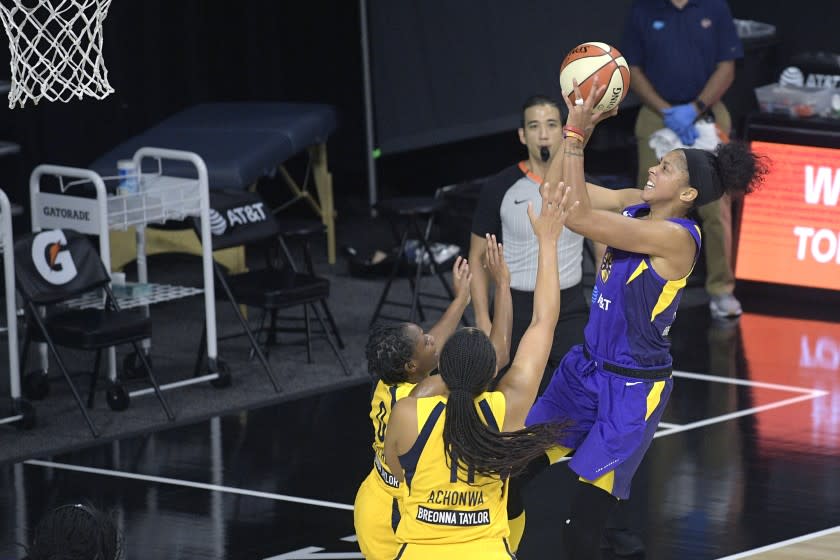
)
(399, 356)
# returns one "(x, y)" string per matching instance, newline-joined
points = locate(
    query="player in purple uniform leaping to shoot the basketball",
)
(615, 386)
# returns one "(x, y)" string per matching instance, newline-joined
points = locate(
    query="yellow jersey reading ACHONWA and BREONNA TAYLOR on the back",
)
(438, 507)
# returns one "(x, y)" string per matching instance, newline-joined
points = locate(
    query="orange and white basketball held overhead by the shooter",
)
(588, 60)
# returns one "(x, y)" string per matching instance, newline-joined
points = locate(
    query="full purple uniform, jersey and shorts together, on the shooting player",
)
(614, 390)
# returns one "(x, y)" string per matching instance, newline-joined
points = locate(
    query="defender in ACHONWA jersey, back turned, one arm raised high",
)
(455, 452)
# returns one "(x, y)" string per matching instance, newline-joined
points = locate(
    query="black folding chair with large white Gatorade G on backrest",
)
(54, 266)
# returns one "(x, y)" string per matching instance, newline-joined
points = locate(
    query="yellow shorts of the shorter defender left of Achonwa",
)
(372, 515)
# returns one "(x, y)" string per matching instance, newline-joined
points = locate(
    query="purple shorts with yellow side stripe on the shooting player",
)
(613, 418)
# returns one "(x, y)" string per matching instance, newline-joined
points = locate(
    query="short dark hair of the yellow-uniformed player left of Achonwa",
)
(388, 349)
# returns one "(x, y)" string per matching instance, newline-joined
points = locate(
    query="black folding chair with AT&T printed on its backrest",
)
(242, 218)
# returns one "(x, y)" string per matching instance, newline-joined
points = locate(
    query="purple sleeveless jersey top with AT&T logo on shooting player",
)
(633, 307)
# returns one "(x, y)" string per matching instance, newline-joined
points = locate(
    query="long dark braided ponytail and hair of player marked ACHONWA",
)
(467, 365)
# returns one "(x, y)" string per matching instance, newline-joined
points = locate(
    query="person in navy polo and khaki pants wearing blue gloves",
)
(682, 60)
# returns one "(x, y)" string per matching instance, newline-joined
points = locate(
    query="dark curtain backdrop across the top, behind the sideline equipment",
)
(443, 71)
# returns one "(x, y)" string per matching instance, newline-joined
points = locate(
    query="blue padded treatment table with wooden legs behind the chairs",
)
(242, 142)
